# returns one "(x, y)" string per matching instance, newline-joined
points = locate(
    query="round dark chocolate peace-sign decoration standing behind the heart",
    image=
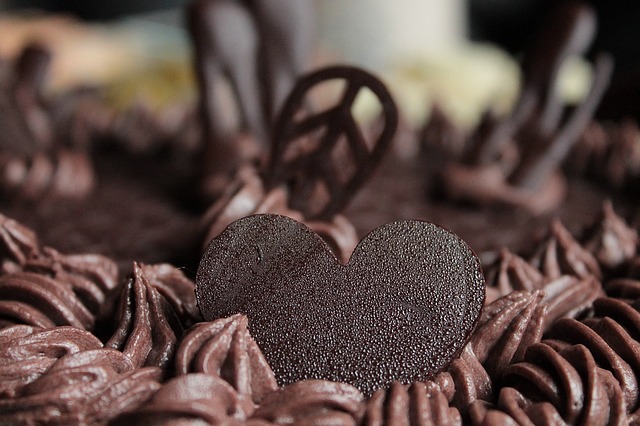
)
(323, 172)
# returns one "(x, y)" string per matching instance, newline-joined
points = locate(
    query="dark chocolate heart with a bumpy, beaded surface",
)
(400, 310)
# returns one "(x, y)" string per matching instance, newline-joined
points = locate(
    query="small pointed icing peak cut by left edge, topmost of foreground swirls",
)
(17, 244)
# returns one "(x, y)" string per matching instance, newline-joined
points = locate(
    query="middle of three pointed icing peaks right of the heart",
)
(560, 254)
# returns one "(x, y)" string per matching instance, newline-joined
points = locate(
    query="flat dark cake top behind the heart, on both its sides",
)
(143, 210)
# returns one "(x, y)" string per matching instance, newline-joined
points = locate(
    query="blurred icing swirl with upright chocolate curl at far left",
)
(32, 165)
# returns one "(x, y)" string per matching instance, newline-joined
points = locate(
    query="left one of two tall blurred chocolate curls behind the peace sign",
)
(226, 45)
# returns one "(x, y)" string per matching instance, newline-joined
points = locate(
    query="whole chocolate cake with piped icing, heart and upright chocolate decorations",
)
(300, 265)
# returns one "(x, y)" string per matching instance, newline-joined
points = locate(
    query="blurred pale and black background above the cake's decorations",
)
(461, 53)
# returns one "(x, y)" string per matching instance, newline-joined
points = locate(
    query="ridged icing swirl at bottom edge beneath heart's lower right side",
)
(418, 404)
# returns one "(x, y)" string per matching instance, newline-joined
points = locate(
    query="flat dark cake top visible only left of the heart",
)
(140, 210)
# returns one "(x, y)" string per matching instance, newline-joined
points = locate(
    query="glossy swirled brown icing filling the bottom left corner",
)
(78, 381)
